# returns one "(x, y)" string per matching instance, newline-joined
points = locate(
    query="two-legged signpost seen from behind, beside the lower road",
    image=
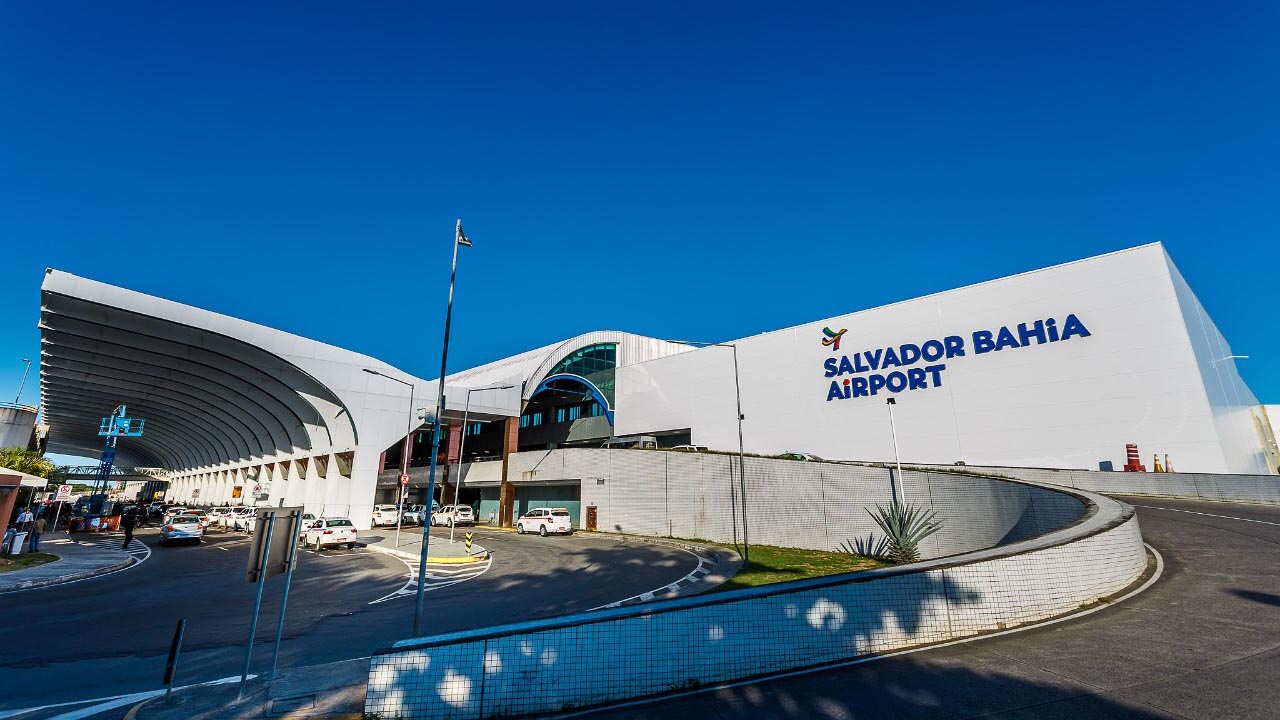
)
(267, 560)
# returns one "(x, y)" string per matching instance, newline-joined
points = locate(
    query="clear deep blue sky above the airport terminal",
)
(682, 170)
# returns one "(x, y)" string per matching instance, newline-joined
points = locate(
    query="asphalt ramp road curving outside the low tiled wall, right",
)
(1203, 642)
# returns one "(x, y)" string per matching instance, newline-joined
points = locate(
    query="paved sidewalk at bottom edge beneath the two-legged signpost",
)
(333, 691)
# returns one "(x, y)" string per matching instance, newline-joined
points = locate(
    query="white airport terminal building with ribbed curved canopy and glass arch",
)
(1054, 368)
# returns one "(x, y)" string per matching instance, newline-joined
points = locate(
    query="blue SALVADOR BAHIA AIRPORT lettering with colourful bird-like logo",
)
(870, 371)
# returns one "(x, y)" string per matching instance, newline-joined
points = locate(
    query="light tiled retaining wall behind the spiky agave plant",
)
(790, 504)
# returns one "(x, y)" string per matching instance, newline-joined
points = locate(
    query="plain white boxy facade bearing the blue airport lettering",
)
(1144, 364)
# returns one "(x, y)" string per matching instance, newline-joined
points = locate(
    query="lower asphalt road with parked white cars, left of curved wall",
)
(109, 636)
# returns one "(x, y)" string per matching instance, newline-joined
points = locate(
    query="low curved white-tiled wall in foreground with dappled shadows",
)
(615, 655)
